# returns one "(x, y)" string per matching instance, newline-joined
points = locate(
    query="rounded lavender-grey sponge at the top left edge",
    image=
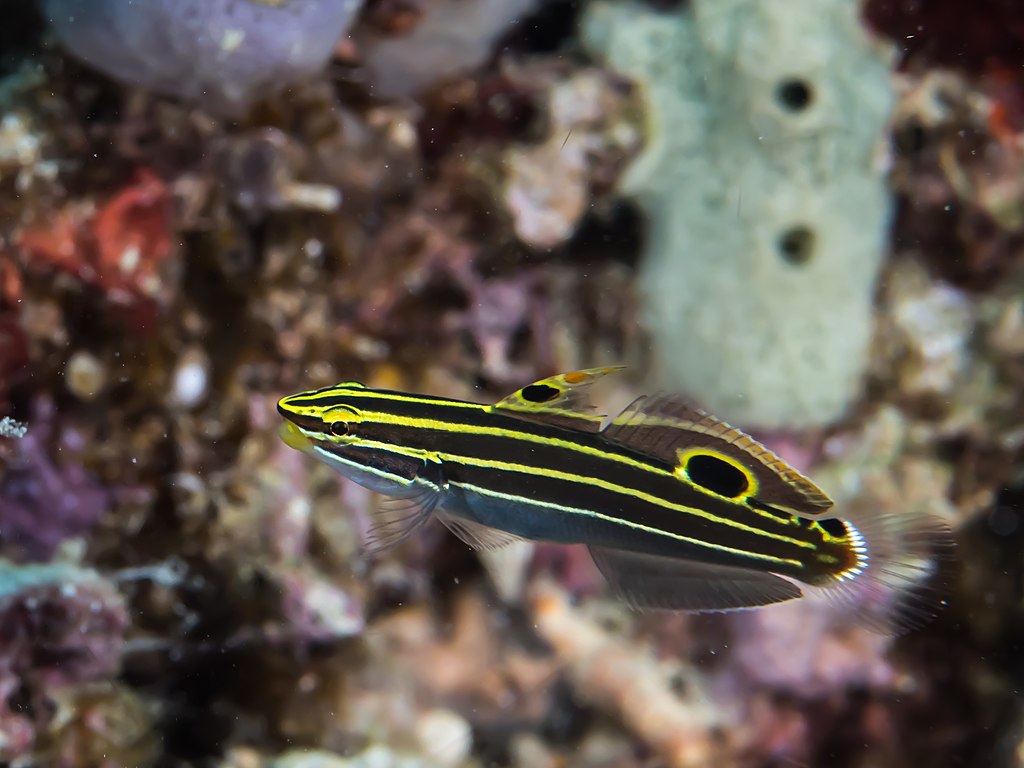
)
(220, 54)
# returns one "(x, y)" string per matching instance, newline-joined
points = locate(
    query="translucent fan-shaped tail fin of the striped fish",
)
(901, 582)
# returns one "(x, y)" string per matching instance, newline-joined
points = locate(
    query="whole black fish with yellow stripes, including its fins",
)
(680, 511)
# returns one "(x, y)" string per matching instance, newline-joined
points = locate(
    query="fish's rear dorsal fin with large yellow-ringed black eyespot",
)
(668, 429)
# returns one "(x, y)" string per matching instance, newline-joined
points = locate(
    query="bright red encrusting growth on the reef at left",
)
(117, 250)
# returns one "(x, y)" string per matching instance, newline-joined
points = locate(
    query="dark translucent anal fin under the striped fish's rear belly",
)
(654, 582)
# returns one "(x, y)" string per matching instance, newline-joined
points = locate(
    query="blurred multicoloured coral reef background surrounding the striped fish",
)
(200, 215)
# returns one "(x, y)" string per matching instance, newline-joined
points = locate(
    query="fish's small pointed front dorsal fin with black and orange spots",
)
(562, 401)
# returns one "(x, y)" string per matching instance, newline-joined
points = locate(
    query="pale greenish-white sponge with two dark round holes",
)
(767, 203)
